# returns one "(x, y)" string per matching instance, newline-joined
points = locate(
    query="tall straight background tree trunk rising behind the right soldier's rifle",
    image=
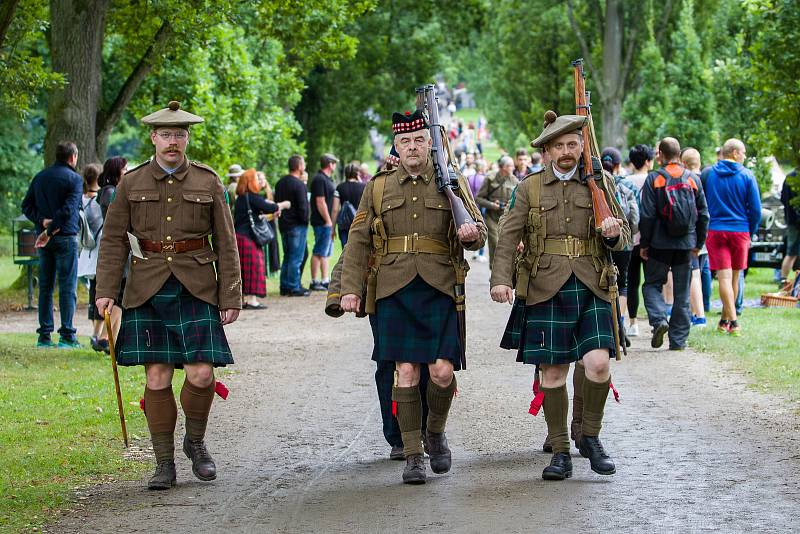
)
(613, 76)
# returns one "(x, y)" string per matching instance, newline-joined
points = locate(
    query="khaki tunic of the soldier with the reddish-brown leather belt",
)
(155, 206)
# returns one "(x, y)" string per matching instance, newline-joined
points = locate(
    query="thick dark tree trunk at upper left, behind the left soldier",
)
(76, 46)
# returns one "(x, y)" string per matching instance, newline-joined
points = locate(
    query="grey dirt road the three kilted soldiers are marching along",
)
(299, 448)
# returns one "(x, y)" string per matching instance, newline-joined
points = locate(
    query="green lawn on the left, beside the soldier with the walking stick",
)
(59, 427)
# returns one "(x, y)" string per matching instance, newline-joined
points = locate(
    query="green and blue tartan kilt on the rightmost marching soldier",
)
(562, 329)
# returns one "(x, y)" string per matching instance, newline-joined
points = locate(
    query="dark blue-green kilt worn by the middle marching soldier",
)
(418, 324)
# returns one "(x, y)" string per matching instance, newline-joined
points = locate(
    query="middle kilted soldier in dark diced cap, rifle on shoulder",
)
(404, 229)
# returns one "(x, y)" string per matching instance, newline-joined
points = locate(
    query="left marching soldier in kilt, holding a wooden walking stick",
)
(184, 285)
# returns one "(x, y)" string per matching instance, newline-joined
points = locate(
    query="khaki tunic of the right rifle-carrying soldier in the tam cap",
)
(566, 207)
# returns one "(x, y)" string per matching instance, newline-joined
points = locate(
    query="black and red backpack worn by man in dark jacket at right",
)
(675, 202)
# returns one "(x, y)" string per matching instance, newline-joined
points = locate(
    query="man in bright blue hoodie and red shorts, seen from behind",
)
(734, 205)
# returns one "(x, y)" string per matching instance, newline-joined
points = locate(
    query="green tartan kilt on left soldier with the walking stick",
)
(173, 327)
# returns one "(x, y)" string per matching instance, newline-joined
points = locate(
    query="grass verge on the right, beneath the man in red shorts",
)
(767, 351)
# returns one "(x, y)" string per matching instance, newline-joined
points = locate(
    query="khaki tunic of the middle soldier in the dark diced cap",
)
(411, 205)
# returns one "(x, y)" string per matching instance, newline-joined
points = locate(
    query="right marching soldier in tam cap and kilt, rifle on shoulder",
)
(563, 312)
